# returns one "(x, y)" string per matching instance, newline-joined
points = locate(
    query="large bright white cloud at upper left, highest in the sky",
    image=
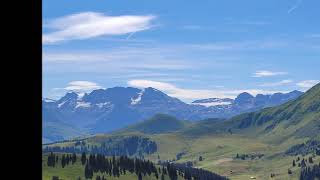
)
(91, 24)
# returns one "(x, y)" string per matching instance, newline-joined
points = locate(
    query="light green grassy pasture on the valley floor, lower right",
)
(219, 152)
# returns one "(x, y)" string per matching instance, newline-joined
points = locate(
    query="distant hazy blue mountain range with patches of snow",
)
(105, 110)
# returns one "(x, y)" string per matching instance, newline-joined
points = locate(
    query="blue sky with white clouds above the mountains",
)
(187, 49)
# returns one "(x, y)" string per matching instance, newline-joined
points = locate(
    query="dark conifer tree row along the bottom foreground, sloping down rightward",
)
(117, 166)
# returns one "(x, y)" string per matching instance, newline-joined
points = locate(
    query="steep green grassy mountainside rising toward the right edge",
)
(298, 118)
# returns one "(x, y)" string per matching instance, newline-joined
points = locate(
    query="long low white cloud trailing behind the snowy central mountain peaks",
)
(192, 94)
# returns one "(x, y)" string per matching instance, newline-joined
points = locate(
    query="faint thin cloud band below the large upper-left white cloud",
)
(115, 61)
